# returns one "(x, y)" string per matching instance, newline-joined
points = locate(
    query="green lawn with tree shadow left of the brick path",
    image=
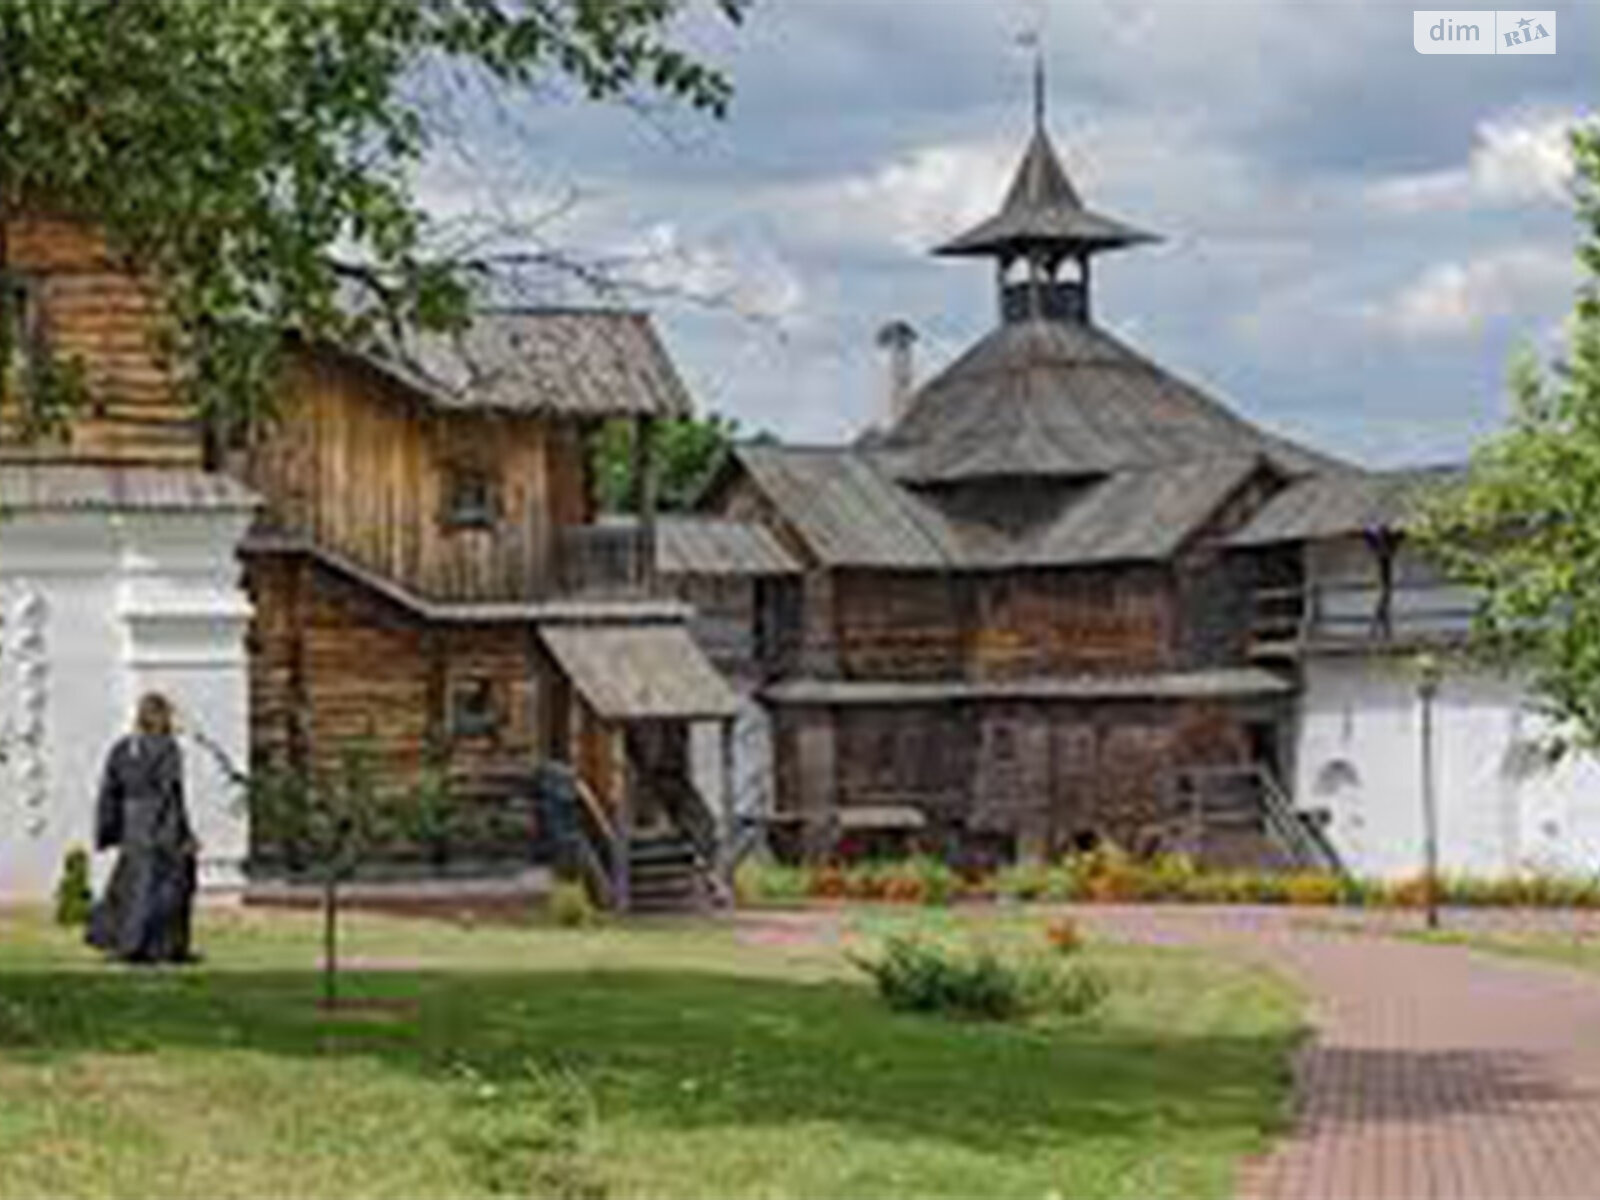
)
(695, 1062)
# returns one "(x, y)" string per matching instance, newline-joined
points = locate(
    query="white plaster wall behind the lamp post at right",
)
(1500, 809)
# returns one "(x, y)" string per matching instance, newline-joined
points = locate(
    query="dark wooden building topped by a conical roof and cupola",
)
(1020, 625)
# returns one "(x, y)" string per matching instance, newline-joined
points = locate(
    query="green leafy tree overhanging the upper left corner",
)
(258, 158)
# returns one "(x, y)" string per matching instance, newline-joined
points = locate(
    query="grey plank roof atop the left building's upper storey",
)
(542, 362)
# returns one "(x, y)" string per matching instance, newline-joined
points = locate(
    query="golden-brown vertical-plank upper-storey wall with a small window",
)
(362, 466)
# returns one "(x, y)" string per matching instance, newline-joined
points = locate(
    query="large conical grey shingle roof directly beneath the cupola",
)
(1066, 399)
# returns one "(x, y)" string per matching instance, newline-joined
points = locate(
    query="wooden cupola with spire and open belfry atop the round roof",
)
(1044, 238)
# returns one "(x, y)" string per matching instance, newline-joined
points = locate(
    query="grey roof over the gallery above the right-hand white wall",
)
(1340, 505)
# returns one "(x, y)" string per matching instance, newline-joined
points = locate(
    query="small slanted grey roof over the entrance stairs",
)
(641, 673)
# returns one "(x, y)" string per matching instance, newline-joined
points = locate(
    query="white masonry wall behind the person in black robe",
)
(98, 609)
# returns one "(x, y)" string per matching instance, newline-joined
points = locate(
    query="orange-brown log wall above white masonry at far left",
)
(94, 311)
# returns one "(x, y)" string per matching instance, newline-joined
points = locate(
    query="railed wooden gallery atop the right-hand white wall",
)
(1358, 618)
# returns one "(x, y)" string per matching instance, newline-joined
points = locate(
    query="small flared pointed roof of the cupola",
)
(1044, 209)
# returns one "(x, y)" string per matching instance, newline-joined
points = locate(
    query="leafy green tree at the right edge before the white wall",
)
(1524, 527)
